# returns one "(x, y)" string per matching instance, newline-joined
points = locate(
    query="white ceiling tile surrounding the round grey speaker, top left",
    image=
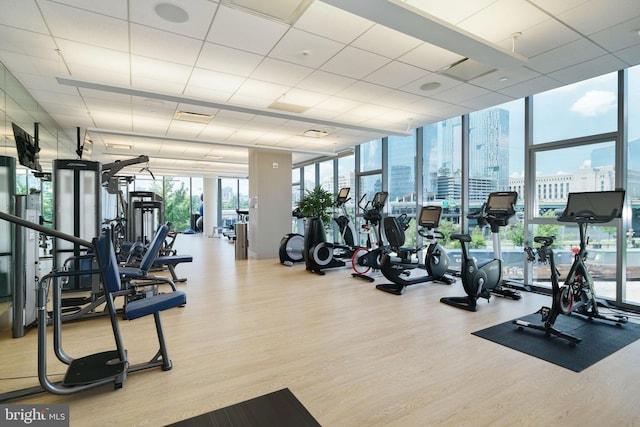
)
(200, 13)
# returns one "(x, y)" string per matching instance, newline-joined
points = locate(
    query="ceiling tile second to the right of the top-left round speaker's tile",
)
(303, 48)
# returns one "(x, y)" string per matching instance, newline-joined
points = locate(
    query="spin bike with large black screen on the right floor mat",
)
(577, 294)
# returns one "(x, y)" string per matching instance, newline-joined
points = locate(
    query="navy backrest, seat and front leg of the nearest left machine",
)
(139, 308)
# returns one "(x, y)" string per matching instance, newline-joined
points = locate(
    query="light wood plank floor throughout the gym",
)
(354, 356)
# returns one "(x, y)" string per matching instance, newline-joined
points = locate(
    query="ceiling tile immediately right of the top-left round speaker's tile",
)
(244, 31)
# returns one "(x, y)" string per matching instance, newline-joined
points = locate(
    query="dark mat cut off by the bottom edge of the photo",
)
(280, 408)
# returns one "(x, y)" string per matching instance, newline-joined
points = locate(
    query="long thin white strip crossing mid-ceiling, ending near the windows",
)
(222, 106)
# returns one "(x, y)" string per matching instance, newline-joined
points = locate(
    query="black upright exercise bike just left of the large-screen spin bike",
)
(481, 279)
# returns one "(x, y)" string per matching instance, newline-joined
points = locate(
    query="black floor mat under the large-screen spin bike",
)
(599, 340)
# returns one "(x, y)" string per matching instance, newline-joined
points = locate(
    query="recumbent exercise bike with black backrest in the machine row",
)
(397, 268)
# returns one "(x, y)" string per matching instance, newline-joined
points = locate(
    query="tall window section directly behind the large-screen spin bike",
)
(574, 136)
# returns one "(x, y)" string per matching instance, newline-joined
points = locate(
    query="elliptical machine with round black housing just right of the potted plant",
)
(320, 254)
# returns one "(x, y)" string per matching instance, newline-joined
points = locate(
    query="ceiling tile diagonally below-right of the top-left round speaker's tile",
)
(228, 60)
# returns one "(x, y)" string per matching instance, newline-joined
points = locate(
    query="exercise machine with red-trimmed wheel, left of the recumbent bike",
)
(368, 258)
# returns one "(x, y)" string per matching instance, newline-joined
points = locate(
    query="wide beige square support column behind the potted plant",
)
(269, 201)
